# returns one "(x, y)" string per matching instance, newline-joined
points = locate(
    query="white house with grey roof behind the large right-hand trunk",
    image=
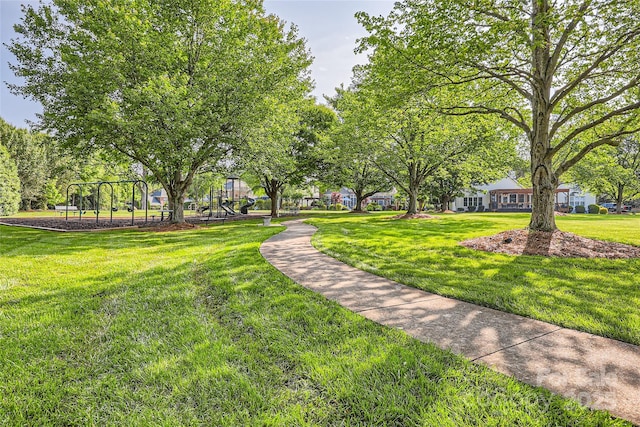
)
(507, 195)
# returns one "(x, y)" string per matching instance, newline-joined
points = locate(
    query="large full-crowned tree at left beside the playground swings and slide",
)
(172, 85)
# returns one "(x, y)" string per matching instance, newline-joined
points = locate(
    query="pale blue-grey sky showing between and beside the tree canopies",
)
(329, 27)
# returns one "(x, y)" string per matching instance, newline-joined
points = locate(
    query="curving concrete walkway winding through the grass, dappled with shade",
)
(598, 372)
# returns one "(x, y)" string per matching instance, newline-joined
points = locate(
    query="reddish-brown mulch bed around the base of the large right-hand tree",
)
(557, 243)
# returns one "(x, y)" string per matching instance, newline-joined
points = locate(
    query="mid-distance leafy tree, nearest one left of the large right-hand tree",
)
(407, 139)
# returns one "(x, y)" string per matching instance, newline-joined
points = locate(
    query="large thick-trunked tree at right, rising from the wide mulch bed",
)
(565, 73)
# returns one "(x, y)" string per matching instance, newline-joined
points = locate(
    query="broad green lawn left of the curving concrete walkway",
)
(137, 328)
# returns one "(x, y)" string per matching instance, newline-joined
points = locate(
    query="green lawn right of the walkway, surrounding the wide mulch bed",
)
(595, 295)
